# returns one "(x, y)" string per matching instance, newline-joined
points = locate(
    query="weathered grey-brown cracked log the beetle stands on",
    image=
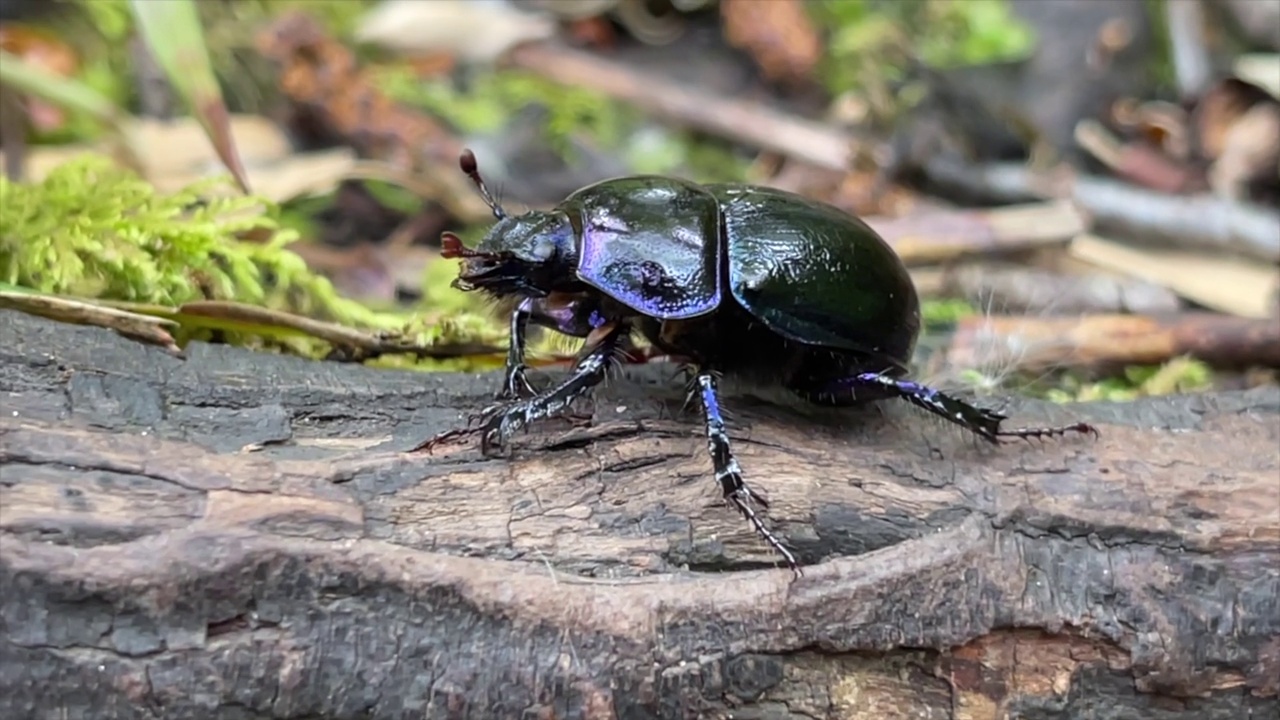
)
(243, 537)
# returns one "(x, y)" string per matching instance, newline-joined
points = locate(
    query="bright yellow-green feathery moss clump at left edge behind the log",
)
(95, 230)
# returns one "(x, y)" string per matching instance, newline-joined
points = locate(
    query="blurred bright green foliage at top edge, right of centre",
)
(871, 42)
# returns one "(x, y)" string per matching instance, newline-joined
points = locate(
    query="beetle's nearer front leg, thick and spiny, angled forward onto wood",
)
(588, 373)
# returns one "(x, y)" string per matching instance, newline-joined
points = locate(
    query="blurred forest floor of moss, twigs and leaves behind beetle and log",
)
(1087, 194)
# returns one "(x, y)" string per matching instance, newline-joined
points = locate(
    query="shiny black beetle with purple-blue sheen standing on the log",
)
(737, 280)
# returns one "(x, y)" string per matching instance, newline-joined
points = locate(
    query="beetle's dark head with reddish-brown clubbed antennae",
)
(529, 254)
